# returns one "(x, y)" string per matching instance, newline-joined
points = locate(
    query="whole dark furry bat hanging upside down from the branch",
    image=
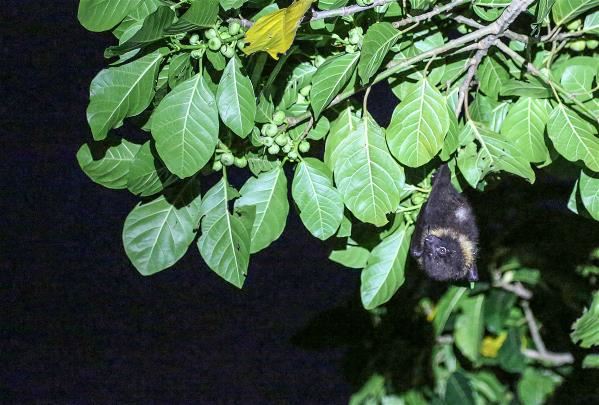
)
(444, 242)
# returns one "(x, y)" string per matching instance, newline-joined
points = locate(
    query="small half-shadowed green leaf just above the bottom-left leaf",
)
(147, 174)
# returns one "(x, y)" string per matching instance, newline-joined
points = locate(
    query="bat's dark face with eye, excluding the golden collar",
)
(442, 258)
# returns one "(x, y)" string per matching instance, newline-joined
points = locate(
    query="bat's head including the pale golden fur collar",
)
(446, 256)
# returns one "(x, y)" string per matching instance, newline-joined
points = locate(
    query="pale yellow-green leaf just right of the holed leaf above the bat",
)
(525, 127)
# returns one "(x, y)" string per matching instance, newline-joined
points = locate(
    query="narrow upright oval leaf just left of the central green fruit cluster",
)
(236, 100)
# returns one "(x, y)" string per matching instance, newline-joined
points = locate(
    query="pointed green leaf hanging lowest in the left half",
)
(225, 240)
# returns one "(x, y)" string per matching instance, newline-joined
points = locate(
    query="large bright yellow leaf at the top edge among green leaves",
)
(275, 32)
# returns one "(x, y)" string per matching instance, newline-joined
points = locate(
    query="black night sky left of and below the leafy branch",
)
(82, 324)
